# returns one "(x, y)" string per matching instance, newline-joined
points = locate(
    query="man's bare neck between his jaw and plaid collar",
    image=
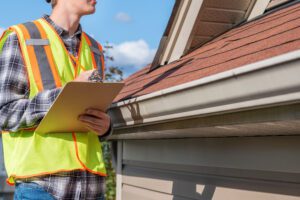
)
(67, 21)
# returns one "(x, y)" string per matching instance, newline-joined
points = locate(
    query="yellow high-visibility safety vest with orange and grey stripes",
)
(49, 65)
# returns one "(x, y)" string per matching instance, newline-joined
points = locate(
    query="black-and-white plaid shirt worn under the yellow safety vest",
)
(17, 111)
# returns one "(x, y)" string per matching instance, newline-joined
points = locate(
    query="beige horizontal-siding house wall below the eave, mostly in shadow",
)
(230, 168)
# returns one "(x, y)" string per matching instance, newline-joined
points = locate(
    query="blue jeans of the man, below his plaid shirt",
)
(31, 191)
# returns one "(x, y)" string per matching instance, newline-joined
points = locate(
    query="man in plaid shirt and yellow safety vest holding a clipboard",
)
(36, 60)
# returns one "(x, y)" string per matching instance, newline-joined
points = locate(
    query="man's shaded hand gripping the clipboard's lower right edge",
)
(96, 120)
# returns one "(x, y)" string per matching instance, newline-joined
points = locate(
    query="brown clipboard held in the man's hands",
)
(72, 101)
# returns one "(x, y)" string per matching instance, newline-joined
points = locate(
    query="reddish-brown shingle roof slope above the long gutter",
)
(274, 34)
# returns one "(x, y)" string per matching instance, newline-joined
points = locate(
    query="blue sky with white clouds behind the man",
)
(134, 27)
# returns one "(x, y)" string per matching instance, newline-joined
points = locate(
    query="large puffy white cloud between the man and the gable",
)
(135, 54)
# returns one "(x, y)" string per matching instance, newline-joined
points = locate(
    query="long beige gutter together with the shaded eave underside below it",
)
(250, 91)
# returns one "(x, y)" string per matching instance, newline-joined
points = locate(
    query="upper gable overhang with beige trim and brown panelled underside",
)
(195, 22)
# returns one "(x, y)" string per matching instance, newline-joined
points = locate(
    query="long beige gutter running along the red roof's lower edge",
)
(261, 84)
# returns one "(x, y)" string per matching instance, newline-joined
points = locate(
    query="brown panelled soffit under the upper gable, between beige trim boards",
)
(216, 18)
